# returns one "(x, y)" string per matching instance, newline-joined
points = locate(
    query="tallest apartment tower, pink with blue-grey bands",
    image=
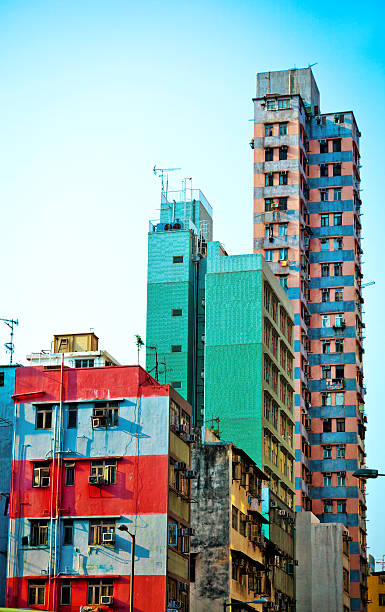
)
(307, 224)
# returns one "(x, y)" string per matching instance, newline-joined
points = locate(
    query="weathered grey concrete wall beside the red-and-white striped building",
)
(210, 517)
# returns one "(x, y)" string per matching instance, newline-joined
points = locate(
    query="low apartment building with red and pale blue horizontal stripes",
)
(100, 489)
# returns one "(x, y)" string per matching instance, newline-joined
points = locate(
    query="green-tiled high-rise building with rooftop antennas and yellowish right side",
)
(223, 325)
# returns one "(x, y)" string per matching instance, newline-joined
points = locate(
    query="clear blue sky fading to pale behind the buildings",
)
(94, 93)
